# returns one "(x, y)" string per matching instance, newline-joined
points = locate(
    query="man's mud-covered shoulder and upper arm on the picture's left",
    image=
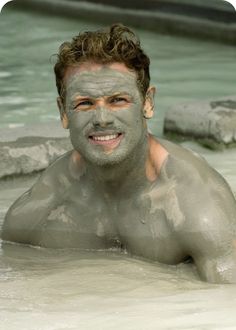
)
(29, 212)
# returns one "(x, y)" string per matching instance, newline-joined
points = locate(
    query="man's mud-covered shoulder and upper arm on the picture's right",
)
(202, 212)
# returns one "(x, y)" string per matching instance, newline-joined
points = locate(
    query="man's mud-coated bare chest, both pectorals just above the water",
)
(140, 224)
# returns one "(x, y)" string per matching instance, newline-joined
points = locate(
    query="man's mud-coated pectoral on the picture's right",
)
(147, 231)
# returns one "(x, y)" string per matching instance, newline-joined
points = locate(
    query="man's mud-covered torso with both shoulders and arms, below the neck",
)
(188, 210)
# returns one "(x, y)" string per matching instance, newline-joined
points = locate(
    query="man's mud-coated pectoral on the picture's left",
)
(82, 221)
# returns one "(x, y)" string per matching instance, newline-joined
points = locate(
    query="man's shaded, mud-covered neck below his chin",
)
(124, 177)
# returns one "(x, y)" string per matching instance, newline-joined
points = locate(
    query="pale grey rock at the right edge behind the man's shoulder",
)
(212, 123)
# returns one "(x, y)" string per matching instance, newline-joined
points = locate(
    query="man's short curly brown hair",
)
(116, 44)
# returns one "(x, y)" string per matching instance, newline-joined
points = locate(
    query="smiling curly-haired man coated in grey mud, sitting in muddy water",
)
(120, 186)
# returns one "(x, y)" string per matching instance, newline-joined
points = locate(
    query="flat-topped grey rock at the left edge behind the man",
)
(31, 149)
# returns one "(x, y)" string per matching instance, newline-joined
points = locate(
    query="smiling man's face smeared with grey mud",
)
(104, 108)
